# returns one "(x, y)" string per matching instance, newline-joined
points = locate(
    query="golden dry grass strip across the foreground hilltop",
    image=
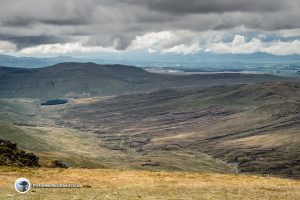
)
(119, 184)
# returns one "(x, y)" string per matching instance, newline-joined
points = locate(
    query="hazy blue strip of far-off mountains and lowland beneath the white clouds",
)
(145, 59)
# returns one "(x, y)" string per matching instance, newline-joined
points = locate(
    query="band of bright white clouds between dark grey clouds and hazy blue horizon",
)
(234, 41)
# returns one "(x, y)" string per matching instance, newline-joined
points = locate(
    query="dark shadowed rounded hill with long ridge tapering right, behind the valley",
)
(89, 79)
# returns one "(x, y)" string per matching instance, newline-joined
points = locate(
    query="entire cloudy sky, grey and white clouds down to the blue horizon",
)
(55, 27)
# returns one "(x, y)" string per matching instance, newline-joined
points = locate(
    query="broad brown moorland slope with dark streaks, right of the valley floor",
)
(255, 127)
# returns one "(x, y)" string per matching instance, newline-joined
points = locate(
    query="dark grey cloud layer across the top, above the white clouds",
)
(116, 23)
